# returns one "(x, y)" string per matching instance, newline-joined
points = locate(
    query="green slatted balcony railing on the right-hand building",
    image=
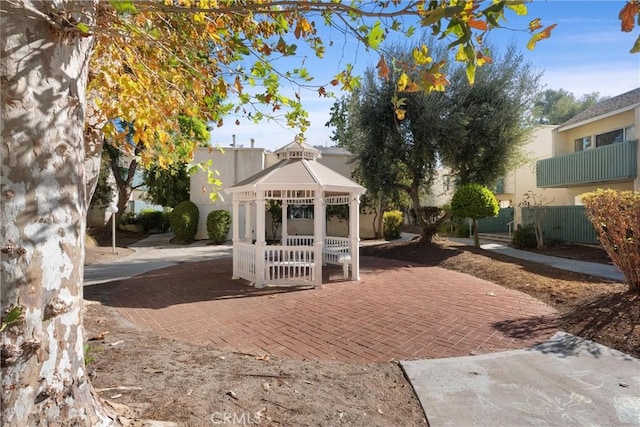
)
(614, 162)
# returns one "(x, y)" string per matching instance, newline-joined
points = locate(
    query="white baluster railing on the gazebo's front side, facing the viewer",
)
(289, 264)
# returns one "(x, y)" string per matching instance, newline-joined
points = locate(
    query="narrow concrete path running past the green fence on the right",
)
(608, 271)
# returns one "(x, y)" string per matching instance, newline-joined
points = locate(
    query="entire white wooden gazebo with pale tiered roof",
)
(298, 179)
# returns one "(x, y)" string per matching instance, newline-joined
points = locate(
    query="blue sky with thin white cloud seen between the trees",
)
(586, 53)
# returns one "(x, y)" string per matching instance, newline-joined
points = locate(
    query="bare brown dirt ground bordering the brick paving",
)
(163, 379)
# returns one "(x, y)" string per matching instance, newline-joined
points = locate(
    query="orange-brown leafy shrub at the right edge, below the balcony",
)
(616, 217)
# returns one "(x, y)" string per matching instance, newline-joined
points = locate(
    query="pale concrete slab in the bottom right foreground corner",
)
(566, 381)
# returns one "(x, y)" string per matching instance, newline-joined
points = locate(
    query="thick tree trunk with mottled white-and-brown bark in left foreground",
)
(44, 75)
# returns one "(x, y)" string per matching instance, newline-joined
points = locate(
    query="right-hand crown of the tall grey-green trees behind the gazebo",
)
(484, 126)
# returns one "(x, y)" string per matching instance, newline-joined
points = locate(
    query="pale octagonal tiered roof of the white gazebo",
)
(298, 170)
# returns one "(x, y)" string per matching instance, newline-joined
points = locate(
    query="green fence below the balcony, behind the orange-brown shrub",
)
(566, 223)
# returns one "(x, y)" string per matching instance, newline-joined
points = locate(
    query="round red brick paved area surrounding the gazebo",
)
(396, 312)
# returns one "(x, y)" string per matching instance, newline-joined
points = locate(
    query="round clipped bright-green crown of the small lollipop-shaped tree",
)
(474, 201)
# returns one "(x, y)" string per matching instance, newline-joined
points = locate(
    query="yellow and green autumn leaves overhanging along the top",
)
(155, 61)
